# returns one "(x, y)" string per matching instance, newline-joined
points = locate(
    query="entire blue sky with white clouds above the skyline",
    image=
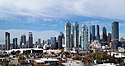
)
(46, 18)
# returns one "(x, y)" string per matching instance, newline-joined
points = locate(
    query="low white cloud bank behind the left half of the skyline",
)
(44, 35)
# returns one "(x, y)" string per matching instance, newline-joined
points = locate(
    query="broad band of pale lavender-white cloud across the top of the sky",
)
(65, 8)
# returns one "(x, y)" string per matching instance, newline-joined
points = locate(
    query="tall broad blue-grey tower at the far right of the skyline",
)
(115, 34)
